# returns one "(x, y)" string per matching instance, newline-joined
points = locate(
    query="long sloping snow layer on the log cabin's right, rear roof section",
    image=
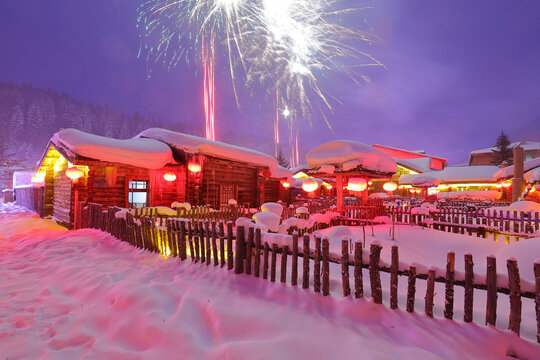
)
(197, 145)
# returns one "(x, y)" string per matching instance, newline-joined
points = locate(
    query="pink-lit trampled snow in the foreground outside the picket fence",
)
(85, 295)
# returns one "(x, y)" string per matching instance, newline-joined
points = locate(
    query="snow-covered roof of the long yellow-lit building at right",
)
(456, 174)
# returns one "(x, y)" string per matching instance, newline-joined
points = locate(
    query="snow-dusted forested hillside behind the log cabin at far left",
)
(30, 115)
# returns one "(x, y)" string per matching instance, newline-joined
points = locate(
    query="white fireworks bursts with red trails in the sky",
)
(286, 46)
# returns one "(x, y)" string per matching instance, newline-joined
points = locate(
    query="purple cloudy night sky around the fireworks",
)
(458, 72)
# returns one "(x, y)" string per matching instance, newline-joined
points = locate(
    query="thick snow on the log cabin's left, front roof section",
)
(145, 153)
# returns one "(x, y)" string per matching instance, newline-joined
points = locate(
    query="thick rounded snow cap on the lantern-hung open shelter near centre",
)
(347, 155)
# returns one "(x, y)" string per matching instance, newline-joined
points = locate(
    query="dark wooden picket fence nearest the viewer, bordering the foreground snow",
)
(208, 242)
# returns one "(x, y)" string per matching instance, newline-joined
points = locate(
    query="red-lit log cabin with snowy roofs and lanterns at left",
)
(156, 168)
